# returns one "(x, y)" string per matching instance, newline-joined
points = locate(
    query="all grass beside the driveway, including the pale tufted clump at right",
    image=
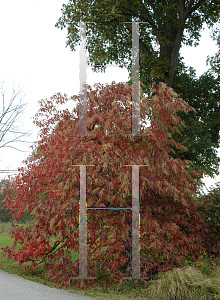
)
(188, 283)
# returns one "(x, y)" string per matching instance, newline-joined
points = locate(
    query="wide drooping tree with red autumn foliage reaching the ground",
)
(171, 229)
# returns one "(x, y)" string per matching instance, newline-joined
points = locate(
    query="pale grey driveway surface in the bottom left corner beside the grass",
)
(13, 287)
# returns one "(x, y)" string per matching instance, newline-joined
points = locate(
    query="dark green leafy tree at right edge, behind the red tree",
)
(201, 133)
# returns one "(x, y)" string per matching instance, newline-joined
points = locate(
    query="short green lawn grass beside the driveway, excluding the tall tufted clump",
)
(99, 290)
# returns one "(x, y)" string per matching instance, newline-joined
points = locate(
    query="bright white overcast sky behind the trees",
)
(34, 59)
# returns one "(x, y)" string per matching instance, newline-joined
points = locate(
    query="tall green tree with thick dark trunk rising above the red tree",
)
(167, 25)
